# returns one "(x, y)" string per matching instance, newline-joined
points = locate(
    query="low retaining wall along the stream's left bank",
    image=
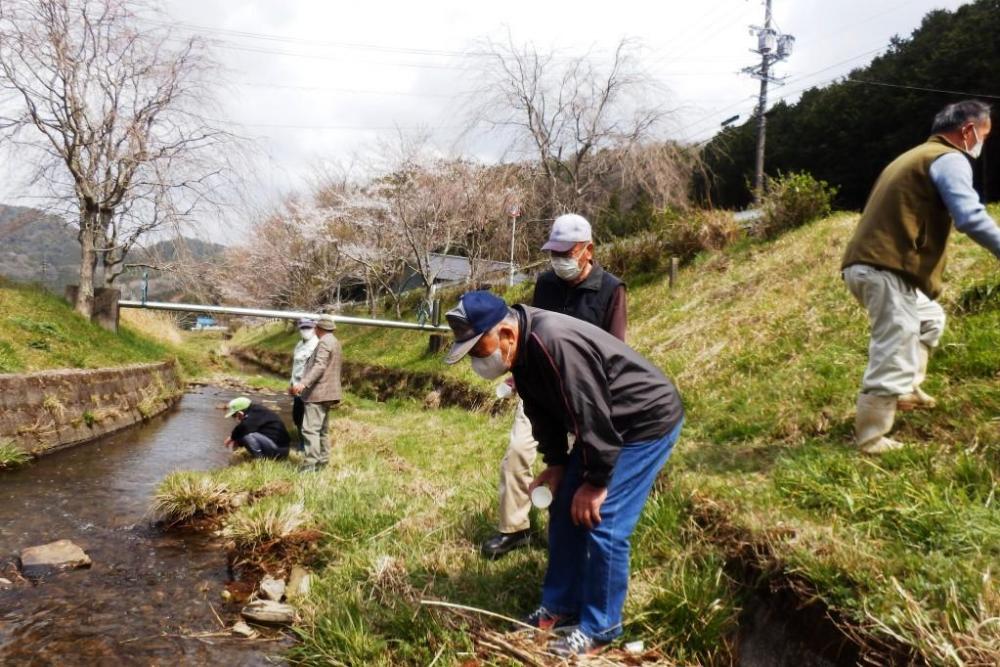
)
(41, 412)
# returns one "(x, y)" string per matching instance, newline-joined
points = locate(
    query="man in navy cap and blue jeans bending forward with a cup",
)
(626, 417)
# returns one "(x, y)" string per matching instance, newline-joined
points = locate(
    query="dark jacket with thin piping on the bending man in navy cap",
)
(577, 378)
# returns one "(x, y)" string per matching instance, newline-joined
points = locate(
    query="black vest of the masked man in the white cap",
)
(589, 301)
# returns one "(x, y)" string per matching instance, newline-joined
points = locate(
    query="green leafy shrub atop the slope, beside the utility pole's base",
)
(791, 201)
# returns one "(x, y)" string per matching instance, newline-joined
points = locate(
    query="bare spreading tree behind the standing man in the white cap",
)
(574, 117)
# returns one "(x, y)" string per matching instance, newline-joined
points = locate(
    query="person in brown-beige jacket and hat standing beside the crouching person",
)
(320, 391)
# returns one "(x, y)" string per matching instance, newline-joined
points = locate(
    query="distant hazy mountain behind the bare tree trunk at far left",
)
(39, 247)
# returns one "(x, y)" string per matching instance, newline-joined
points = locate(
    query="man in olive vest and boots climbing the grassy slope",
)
(894, 263)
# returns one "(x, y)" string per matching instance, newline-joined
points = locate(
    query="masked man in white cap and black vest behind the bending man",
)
(579, 287)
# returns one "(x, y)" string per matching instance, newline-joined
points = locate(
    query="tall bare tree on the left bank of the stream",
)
(110, 111)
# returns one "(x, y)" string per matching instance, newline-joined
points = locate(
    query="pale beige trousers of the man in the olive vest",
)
(902, 319)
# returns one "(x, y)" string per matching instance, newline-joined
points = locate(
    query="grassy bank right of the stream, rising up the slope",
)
(767, 348)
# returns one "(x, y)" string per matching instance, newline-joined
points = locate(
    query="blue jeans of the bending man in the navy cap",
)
(588, 569)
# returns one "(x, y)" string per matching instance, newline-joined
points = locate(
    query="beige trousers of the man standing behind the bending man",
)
(516, 475)
